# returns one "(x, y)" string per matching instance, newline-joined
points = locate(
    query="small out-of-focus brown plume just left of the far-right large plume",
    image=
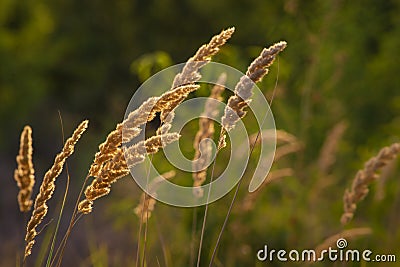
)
(328, 152)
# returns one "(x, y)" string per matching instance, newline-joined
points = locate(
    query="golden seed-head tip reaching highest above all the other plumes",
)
(190, 72)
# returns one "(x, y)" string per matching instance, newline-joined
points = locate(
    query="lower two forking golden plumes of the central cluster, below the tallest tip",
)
(110, 164)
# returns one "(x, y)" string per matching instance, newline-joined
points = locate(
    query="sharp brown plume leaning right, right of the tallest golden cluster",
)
(243, 89)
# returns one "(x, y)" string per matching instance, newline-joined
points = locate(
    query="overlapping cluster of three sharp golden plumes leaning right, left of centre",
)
(109, 163)
